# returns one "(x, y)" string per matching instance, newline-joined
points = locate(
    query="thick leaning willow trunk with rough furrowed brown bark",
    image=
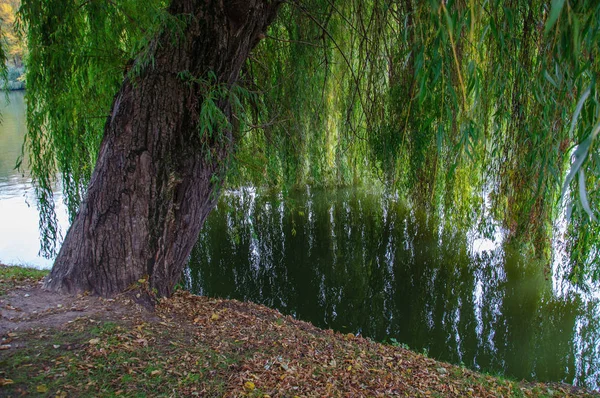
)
(154, 183)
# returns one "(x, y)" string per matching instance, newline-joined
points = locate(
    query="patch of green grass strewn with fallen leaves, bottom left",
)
(90, 361)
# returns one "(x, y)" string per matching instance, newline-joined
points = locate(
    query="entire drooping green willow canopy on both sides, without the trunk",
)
(469, 108)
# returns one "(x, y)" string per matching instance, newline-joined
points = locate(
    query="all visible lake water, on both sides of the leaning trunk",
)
(361, 262)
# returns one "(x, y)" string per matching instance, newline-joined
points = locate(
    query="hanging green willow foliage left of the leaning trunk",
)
(78, 56)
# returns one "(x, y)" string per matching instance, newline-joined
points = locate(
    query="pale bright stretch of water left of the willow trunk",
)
(19, 233)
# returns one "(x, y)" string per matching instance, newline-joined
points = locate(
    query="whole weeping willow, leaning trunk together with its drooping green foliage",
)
(453, 103)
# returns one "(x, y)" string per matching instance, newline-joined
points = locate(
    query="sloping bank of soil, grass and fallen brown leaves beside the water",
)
(64, 346)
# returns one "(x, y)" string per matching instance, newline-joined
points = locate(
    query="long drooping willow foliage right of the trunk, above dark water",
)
(468, 108)
